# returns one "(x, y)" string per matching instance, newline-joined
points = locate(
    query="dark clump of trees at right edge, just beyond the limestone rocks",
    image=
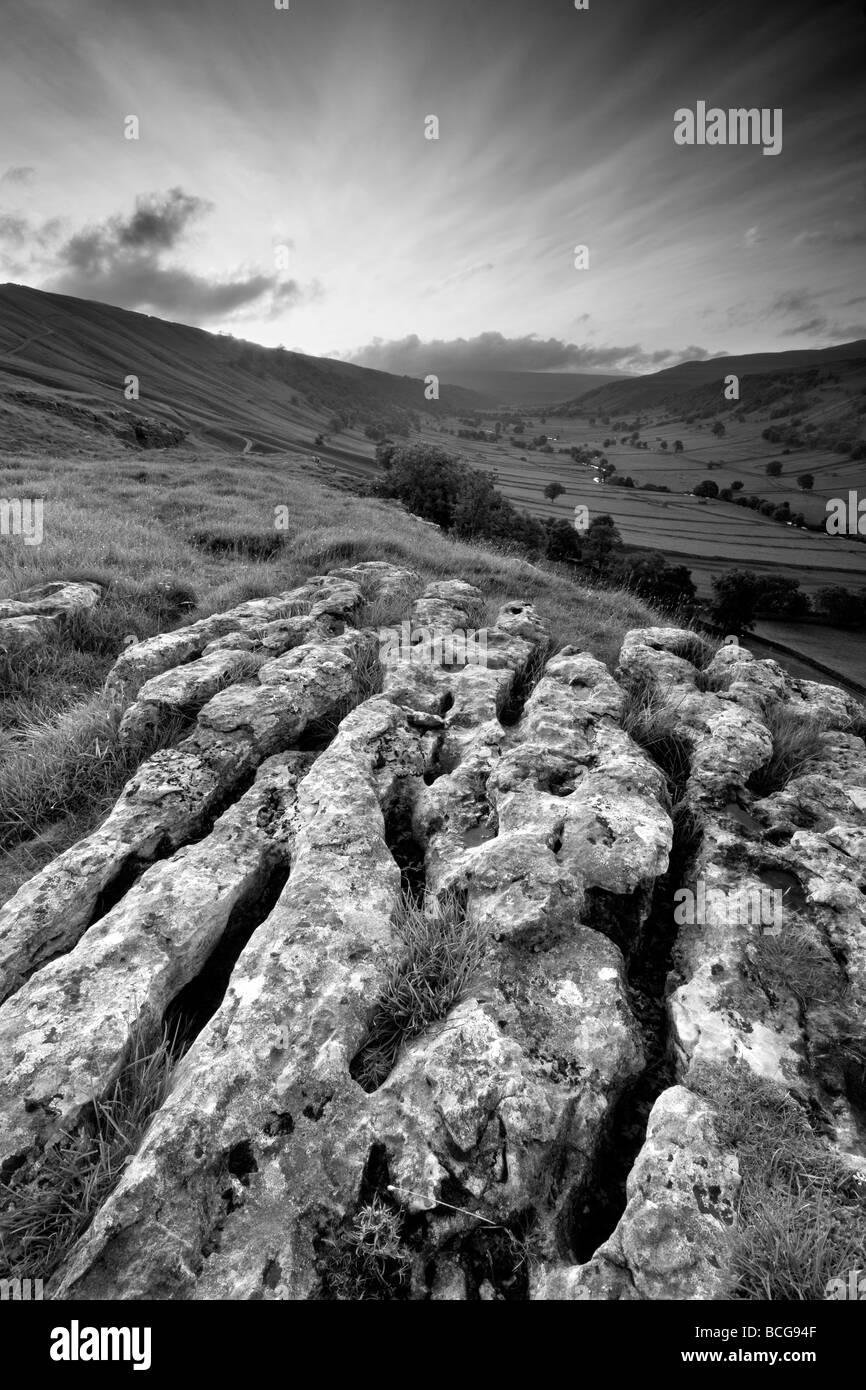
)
(742, 596)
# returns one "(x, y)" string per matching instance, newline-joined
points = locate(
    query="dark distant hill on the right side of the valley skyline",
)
(698, 383)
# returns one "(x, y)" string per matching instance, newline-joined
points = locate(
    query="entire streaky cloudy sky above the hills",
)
(283, 187)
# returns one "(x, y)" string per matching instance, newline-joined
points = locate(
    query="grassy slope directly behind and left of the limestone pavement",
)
(176, 537)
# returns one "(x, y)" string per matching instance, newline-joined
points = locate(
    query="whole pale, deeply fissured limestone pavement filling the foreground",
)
(247, 889)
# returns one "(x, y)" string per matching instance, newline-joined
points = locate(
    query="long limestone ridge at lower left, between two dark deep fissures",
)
(65, 1035)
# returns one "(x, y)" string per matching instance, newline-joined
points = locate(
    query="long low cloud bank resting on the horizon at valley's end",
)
(493, 352)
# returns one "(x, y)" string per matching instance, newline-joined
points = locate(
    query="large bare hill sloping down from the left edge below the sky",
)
(65, 362)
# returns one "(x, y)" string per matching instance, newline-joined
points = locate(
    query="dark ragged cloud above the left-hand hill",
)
(123, 262)
